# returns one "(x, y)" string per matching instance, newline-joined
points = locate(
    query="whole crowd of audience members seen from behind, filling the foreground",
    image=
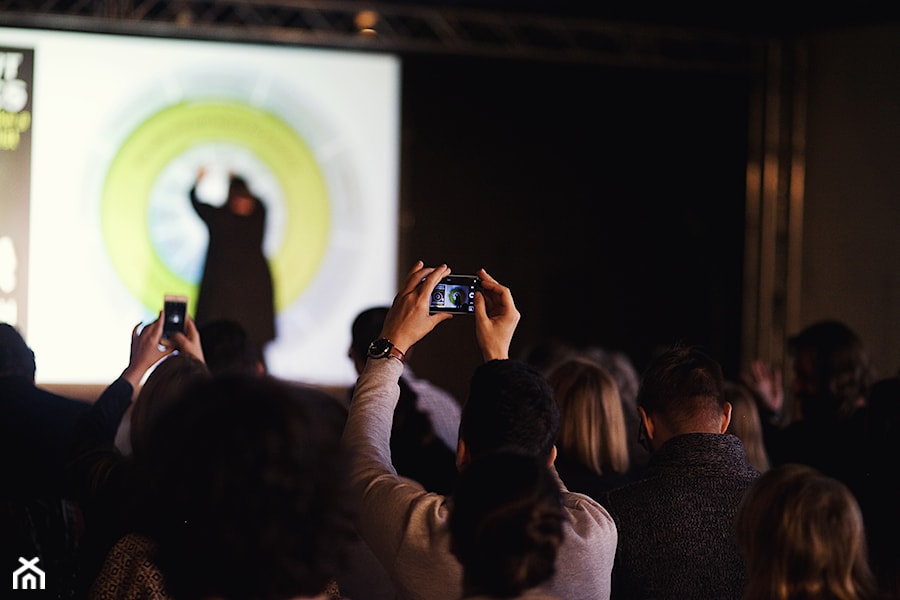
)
(196, 474)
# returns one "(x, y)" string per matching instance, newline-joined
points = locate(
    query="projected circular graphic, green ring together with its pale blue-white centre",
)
(153, 242)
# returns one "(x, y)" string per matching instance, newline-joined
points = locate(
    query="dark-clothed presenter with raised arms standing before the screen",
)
(236, 282)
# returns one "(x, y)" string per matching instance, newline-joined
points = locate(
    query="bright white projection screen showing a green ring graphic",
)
(120, 127)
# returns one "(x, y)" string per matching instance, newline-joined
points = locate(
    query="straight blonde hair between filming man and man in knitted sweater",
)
(592, 421)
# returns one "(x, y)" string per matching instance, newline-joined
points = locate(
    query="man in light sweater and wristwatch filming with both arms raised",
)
(510, 407)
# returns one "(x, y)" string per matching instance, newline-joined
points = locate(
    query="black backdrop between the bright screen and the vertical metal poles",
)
(610, 200)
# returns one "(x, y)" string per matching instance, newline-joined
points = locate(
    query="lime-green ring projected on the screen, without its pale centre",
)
(171, 132)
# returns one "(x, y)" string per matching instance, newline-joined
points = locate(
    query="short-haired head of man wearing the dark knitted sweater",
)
(683, 386)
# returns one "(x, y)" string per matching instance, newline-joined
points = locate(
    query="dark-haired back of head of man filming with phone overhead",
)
(510, 407)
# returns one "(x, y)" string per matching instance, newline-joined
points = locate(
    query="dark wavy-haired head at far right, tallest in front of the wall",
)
(832, 372)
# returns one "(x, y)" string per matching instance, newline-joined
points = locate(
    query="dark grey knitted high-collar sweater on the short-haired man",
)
(676, 532)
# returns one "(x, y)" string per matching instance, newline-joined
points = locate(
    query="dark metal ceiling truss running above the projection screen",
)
(402, 29)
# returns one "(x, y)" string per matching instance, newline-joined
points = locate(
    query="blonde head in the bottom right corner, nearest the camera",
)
(802, 536)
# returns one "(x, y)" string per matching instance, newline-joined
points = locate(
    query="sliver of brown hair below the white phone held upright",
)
(160, 391)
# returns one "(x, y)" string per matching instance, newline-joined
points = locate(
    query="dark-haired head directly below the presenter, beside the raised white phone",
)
(228, 348)
